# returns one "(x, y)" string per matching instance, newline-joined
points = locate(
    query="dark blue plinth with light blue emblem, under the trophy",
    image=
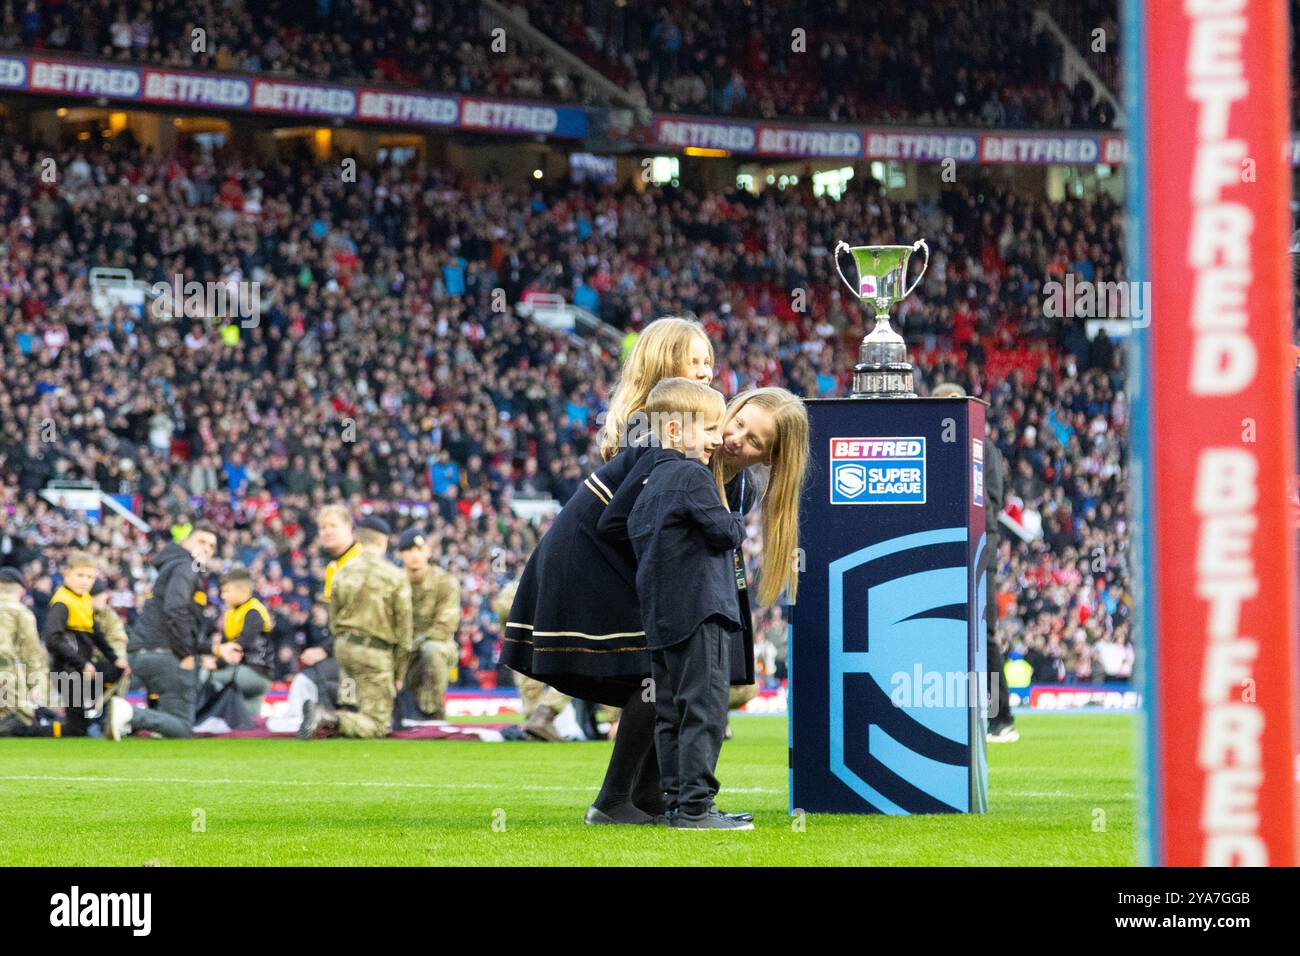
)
(887, 652)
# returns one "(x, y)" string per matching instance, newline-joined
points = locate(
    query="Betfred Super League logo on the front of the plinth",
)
(878, 471)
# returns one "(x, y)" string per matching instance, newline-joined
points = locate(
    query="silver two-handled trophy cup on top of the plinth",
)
(883, 370)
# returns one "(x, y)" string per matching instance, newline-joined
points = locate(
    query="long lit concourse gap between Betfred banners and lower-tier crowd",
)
(536, 159)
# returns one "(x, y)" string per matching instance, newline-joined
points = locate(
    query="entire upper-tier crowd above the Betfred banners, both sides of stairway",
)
(898, 66)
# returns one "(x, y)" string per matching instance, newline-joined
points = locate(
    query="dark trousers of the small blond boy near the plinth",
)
(692, 680)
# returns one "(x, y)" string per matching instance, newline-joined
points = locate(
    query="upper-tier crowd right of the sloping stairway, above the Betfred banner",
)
(943, 63)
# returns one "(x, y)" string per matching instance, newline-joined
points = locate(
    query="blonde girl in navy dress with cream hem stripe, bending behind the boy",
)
(577, 622)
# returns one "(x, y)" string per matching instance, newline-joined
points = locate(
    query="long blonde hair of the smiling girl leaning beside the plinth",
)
(781, 511)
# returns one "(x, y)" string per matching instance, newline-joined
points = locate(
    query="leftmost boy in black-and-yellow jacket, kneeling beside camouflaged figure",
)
(73, 641)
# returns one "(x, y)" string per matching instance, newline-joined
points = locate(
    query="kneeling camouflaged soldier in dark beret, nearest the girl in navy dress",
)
(436, 615)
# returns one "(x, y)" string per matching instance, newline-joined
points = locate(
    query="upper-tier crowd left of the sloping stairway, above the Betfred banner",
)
(432, 45)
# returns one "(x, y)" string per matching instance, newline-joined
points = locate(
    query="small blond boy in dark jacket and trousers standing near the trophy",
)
(683, 535)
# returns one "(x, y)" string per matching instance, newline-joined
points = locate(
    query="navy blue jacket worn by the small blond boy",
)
(683, 537)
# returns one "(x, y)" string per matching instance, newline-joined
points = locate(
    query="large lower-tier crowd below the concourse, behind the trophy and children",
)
(379, 373)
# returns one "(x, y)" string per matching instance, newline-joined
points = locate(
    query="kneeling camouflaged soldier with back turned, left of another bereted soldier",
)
(370, 616)
